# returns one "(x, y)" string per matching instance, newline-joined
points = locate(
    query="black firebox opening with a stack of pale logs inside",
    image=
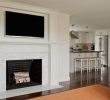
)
(23, 73)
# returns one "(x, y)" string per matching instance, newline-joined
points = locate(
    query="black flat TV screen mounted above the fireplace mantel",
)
(19, 24)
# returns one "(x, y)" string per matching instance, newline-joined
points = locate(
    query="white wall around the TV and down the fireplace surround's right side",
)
(57, 39)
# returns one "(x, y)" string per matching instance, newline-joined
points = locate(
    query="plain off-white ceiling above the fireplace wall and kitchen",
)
(91, 13)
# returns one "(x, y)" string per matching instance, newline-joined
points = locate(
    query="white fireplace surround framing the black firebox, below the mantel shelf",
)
(19, 52)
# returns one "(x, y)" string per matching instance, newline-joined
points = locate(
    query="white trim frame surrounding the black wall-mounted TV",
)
(35, 39)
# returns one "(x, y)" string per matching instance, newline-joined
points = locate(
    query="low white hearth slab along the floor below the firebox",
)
(28, 90)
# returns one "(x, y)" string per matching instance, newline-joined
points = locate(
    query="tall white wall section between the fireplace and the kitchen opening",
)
(60, 50)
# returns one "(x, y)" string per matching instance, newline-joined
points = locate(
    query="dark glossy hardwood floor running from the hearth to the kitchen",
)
(76, 80)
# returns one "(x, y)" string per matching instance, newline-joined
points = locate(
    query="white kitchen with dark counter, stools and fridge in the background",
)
(88, 51)
